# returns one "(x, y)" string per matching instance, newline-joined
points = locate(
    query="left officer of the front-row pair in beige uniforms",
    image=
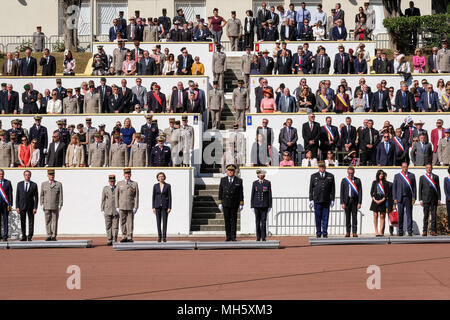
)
(108, 208)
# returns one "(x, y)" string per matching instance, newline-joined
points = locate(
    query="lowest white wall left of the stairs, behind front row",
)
(82, 190)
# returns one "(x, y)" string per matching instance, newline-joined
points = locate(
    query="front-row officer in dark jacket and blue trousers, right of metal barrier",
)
(321, 197)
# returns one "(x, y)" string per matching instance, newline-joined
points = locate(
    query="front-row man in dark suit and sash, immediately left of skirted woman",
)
(351, 199)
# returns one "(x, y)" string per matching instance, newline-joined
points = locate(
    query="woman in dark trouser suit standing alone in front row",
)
(162, 204)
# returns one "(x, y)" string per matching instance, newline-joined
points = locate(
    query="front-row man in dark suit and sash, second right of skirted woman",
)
(429, 198)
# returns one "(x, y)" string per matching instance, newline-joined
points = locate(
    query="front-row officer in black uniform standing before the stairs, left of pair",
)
(231, 199)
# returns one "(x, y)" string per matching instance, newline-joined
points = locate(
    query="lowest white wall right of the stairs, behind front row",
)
(294, 182)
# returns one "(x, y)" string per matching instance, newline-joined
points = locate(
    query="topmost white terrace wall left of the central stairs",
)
(204, 50)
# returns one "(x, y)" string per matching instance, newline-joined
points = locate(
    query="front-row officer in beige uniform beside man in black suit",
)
(51, 200)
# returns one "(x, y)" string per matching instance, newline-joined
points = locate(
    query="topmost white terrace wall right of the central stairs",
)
(331, 47)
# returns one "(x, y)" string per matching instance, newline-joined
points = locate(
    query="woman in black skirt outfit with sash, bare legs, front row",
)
(381, 201)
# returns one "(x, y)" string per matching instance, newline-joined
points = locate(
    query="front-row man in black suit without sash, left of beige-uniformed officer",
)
(26, 204)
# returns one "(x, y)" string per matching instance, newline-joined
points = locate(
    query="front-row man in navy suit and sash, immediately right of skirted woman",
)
(404, 195)
